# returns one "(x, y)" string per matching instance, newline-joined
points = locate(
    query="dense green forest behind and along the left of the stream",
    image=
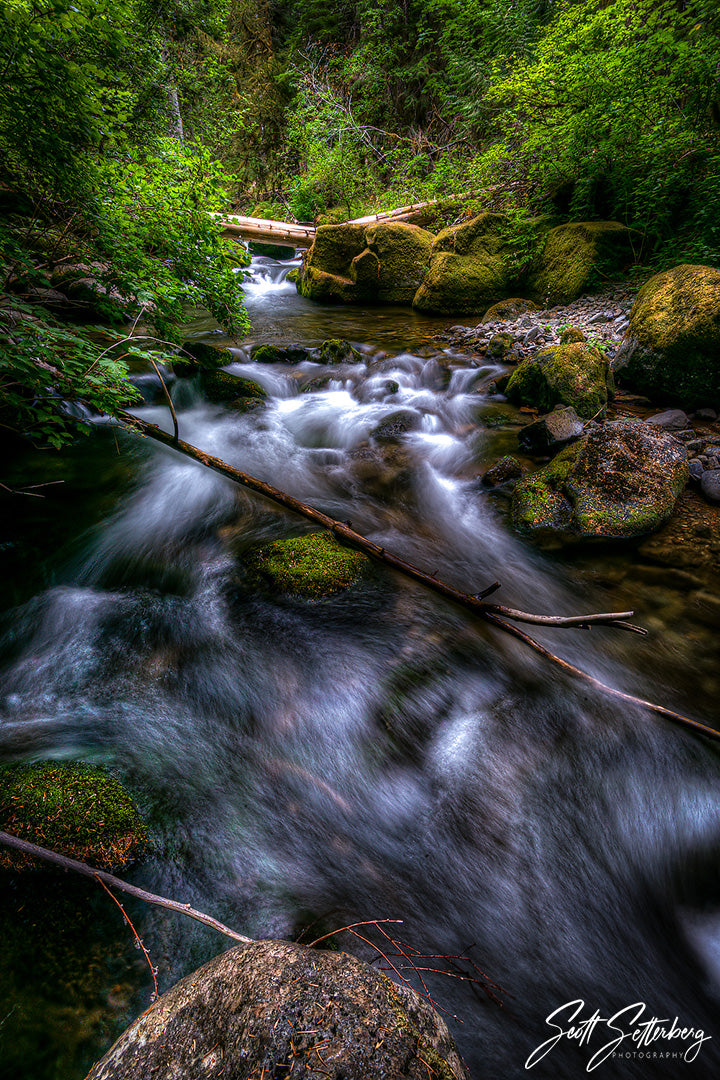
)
(126, 125)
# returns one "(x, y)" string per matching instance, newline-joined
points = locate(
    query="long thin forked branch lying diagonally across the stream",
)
(497, 615)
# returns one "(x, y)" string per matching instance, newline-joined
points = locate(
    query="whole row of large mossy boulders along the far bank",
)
(466, 269)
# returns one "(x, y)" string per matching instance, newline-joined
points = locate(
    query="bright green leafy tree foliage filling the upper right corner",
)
(616, 100)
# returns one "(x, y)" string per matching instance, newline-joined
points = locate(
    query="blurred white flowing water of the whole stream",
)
(378, 755)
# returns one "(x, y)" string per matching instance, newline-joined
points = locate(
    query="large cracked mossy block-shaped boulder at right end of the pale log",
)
(383, 263)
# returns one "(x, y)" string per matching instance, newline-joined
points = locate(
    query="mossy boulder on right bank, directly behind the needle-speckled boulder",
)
(577, 375)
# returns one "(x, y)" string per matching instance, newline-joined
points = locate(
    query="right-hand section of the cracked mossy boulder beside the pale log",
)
(403, 254)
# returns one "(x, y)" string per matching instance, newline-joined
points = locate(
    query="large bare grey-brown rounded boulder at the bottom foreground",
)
(279, 1009)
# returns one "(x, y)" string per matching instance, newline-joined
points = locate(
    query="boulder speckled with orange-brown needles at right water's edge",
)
(619, 482)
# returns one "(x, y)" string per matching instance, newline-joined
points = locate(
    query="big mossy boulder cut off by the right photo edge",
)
(672, 349)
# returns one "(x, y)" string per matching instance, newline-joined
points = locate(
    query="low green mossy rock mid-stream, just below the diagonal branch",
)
(311, 568)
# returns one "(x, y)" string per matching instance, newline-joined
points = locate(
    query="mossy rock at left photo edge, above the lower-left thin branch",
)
(75, 809)
